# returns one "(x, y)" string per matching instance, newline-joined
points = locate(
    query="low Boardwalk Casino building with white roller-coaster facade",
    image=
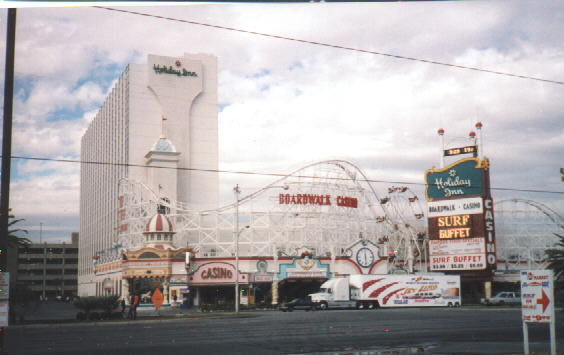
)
(279, 242)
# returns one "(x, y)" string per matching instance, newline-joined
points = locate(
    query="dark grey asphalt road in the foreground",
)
(396, 331)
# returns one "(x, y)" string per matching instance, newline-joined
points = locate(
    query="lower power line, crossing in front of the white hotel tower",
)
(260, 173)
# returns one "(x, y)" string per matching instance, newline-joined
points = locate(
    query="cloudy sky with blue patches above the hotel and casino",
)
(284, 104)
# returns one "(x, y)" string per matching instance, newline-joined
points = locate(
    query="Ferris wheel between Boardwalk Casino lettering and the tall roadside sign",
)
(406, 243)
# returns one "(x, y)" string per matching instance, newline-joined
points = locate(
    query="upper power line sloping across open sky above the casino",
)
(333, 45)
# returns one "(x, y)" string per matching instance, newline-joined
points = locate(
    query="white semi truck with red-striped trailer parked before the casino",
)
(373, 291)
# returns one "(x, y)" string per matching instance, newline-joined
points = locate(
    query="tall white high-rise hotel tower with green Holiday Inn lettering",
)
(162, 113)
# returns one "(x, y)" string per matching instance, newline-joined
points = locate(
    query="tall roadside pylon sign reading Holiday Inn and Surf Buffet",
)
(460, 217)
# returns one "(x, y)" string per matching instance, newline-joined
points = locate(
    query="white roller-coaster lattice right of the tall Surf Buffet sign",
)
(524, 230)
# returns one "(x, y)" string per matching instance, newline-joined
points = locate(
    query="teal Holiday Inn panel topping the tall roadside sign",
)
(464, 178)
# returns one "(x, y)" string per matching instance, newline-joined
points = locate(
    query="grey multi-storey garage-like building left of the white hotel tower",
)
(49, 270)
